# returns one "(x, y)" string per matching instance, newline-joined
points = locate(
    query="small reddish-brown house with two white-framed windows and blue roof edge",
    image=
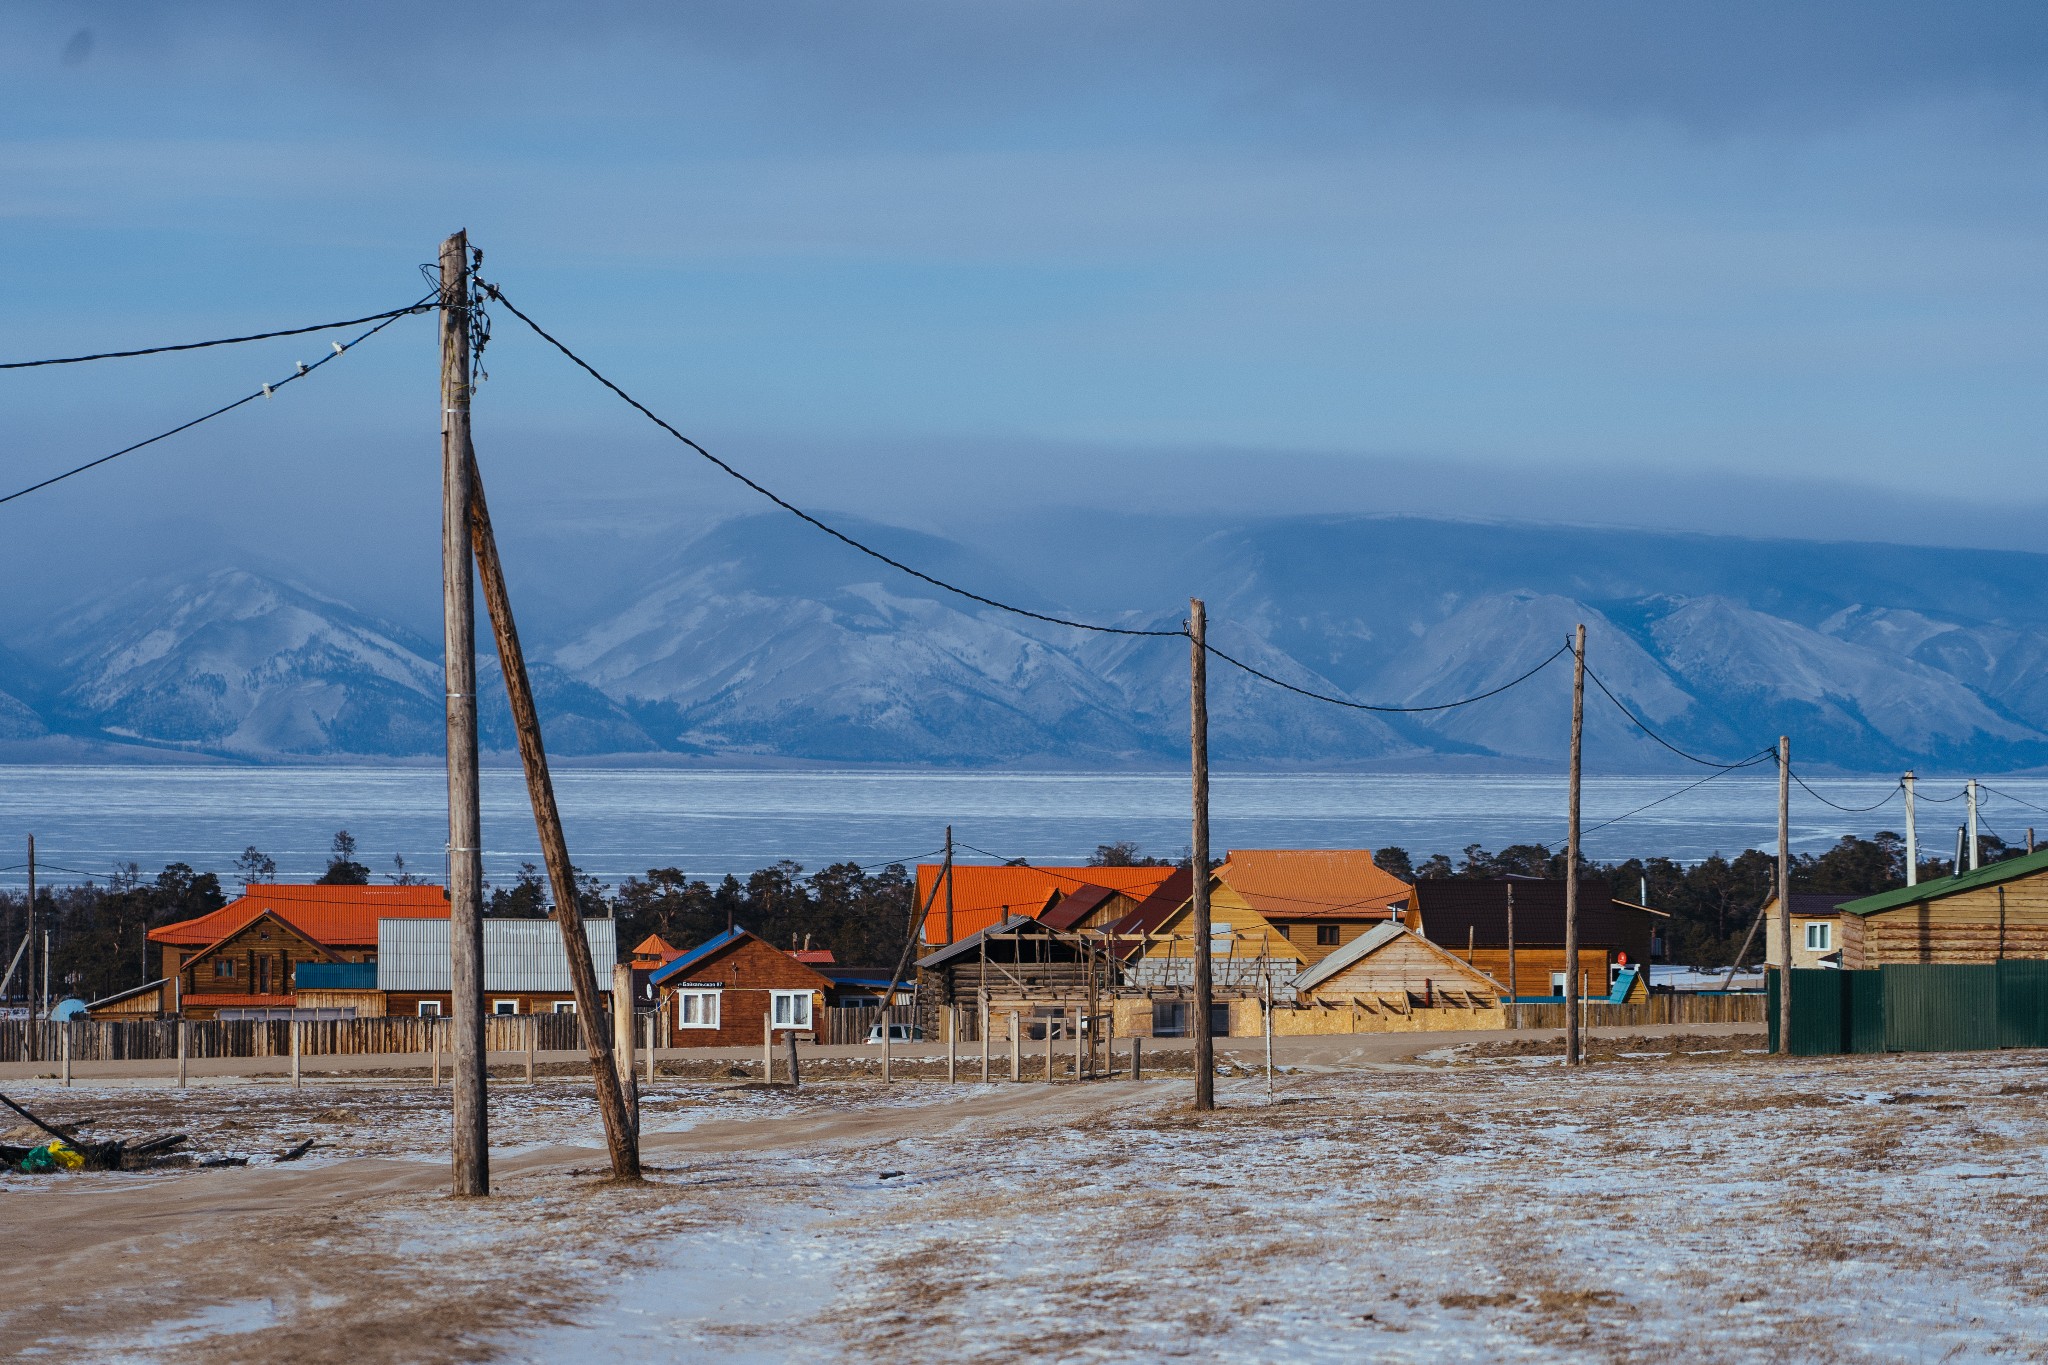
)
(724, 994)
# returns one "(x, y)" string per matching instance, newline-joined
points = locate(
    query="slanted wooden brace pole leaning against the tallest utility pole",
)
(620, 1133)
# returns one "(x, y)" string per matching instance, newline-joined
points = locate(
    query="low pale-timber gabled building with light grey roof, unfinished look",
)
(1390, 975)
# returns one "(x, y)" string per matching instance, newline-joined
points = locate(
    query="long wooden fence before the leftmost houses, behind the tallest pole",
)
(157, 1041)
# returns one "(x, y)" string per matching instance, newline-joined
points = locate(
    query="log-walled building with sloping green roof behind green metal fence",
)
(1986, 916)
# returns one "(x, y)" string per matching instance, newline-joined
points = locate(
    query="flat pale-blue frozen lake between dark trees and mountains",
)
(708, 822)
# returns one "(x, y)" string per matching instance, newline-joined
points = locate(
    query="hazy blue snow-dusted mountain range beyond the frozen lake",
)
(767, 640)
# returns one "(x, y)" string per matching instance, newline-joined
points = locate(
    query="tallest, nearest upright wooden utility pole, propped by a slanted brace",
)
(472, 1151)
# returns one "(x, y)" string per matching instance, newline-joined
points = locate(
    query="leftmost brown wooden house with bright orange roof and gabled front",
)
(247, 955)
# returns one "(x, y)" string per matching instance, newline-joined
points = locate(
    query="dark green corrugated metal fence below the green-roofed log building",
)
(1916, 1008)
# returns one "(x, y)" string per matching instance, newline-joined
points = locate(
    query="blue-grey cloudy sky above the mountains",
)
(1742, 267)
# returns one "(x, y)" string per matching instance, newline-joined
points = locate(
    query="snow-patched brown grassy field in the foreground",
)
(1699, 1206)
